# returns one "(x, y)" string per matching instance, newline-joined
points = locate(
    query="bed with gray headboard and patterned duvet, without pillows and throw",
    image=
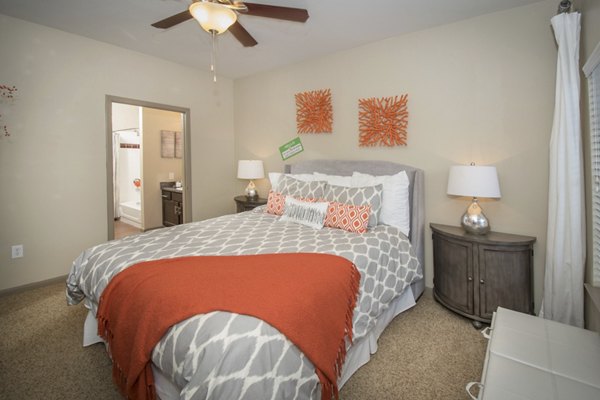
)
(266, 364)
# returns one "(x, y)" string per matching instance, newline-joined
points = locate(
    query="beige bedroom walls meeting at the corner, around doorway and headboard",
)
(479, 90)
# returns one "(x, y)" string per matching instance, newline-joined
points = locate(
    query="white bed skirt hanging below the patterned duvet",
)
(358, 355)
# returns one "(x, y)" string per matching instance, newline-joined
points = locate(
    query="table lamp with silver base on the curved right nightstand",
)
(474, 181)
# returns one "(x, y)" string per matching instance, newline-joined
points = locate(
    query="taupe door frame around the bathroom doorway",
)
(187, 155)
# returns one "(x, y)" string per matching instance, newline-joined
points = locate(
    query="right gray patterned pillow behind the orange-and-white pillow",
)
(358, 196)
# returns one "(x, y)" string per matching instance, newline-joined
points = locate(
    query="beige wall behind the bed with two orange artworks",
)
(479, 90)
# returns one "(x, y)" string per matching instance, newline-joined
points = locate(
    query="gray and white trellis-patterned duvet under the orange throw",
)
(222, 355)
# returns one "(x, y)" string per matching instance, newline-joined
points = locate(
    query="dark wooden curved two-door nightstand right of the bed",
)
(474, 274)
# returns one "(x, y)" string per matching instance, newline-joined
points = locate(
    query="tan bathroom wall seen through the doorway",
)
(155, 168)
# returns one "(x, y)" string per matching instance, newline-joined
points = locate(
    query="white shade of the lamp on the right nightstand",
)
(473, 181)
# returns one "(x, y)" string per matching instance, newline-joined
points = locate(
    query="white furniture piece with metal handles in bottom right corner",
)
(530, 358)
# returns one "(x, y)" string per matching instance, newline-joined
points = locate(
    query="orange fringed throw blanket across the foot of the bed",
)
(309, 298)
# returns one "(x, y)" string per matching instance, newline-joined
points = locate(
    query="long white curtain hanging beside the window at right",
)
(565, 251)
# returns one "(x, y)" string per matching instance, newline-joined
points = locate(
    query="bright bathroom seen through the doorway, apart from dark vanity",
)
(140, 164)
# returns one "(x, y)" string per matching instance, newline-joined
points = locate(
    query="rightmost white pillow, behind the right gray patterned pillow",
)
(395, 209)
